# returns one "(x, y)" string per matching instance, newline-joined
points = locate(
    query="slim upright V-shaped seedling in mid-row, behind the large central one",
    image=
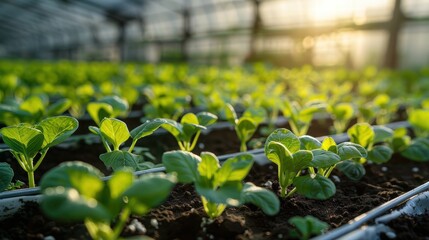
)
(246, 125)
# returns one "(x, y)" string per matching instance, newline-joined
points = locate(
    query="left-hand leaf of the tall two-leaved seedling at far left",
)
(23, 139)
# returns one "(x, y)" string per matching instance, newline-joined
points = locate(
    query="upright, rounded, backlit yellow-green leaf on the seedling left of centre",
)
(115, 131)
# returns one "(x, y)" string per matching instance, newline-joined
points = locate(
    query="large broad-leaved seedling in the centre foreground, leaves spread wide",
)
(220, 187)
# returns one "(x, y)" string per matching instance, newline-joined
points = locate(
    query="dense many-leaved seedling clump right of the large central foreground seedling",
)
(292, 155)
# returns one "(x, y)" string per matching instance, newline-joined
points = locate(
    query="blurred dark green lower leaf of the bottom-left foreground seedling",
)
(68, 204)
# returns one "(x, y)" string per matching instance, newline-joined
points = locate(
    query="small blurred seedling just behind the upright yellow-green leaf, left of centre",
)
(107, 107)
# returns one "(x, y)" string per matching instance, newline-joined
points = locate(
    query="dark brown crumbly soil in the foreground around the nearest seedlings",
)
(182, 216)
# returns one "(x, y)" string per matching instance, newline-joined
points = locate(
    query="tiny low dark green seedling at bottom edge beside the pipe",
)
(307, 226)
